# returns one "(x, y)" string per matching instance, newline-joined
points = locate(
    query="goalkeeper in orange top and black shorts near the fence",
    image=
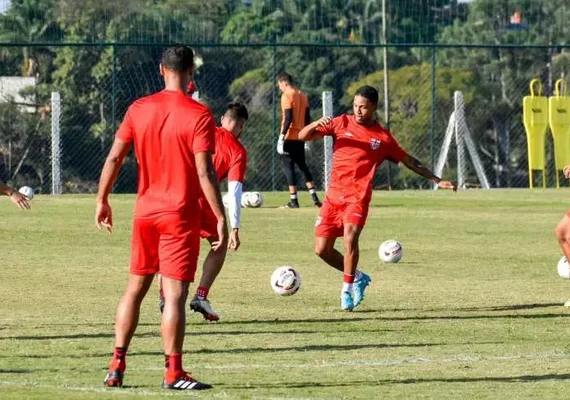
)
(296, 114)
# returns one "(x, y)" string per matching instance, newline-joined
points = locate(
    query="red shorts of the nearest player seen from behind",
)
(167, 244)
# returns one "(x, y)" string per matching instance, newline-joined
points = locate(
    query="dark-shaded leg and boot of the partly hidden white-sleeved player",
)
(212, 266)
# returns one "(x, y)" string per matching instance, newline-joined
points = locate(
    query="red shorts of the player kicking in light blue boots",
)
(334, 215)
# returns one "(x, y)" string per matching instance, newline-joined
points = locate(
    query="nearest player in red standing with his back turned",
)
(173, 138)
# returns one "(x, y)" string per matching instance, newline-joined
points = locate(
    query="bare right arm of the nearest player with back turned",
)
(211, 189)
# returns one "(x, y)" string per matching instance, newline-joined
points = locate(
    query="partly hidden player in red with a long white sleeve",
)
(230, 160)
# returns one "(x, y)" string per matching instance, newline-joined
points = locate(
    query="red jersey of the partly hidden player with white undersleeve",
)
(230, 159)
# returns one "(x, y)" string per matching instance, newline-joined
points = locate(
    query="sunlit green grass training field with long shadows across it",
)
(473, 310)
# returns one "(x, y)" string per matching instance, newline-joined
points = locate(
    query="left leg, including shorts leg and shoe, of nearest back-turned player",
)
(144, 265)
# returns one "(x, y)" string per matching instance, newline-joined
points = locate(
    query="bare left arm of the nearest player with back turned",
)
(103, 212)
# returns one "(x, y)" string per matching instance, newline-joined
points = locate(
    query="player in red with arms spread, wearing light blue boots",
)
(360, 145)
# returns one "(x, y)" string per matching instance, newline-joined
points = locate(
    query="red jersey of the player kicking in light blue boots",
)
(357, 151)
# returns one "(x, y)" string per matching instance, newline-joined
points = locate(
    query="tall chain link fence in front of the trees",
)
(98, 82)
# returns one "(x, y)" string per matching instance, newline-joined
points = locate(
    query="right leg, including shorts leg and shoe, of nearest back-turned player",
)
(178, 255)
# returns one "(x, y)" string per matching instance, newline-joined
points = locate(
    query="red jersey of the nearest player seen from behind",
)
(167, 129)
